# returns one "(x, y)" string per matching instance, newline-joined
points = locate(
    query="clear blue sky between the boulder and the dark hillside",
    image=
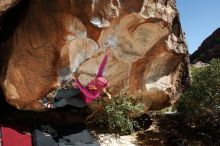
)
(199, 18)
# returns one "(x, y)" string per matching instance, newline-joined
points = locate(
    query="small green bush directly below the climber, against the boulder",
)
(119, 113)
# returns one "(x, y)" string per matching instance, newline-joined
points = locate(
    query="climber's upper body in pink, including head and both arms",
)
(94, 88)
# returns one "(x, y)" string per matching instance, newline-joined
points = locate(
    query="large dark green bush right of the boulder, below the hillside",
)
(200, 104)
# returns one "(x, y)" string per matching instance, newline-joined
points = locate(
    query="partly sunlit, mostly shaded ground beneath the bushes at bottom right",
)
(166, 130)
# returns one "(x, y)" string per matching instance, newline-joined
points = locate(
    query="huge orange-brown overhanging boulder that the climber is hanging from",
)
(43, 42)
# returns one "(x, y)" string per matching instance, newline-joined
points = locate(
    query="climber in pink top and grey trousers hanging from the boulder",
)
(81, 96)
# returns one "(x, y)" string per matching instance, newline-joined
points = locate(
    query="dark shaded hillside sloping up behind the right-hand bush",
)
(209, 49)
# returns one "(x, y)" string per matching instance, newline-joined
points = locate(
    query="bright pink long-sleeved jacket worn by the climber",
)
(87, 94)
